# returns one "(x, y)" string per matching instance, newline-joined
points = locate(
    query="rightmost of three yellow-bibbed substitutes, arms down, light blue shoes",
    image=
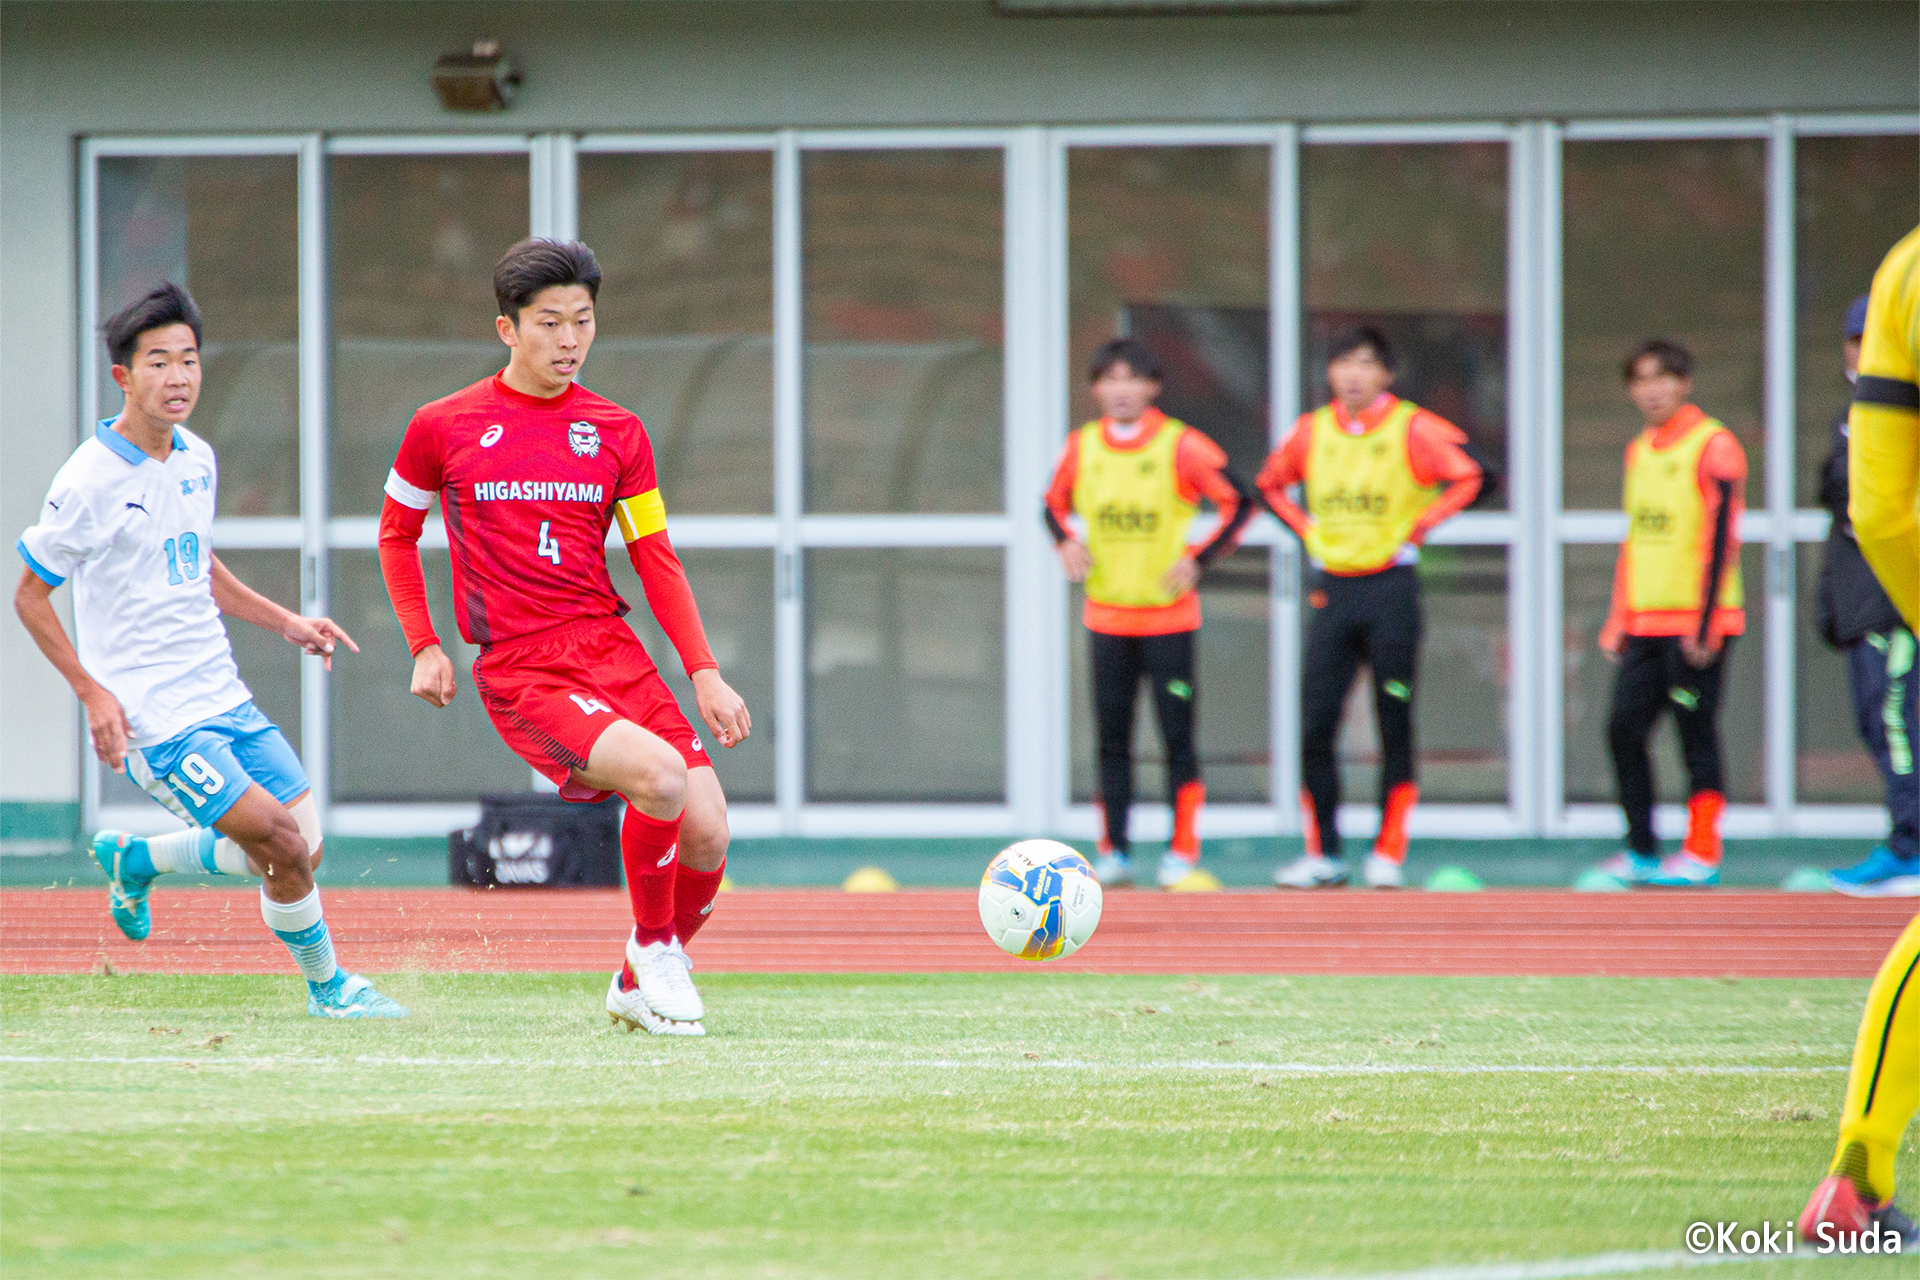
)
(1677, 609)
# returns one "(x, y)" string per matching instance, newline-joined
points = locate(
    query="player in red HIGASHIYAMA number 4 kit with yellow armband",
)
(531, 471)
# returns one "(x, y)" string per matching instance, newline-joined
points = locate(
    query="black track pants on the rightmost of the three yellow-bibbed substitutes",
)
(1654, 678)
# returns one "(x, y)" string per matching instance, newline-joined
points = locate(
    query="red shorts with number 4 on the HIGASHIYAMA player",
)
(554, 694)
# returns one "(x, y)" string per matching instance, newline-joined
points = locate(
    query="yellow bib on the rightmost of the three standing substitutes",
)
(1668, 538)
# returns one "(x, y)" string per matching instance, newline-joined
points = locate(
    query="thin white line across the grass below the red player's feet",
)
(940, 1064)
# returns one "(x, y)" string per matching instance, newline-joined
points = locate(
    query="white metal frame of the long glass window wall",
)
(1535, 529)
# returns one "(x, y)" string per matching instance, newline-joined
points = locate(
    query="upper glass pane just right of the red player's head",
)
(686, 316)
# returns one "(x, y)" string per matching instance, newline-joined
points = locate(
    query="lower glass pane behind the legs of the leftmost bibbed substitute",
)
(1236, 755)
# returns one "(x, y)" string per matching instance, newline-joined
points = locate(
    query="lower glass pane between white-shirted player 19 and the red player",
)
(387, 744)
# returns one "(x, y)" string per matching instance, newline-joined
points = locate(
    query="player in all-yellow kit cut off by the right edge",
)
(1884, 463)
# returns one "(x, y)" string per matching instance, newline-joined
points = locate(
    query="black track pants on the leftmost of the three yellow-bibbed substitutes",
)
(1118, 663)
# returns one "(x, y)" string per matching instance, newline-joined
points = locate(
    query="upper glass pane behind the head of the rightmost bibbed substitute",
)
(1660, 241)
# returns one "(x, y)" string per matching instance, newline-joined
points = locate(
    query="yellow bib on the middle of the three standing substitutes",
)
(1362, 492)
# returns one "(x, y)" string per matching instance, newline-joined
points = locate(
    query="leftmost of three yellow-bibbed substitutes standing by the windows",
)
(1136, 481)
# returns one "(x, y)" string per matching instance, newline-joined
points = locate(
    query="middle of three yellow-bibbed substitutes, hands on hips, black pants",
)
(1376, 475)
